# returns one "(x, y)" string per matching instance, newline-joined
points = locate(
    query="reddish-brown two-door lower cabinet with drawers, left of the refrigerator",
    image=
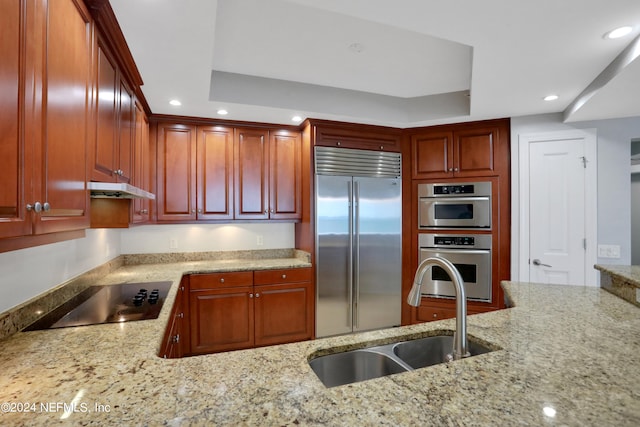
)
(236, 310)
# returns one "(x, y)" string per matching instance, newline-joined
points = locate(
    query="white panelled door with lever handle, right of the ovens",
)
(561, 215)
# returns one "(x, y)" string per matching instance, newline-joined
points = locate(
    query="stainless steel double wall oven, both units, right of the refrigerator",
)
(447, 207)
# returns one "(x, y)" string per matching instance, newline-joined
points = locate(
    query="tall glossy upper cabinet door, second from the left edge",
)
(68, 88)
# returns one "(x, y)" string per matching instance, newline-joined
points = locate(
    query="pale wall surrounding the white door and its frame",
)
(614, 210)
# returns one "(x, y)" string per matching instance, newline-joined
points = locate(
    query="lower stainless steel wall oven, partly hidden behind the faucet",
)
(470, 254)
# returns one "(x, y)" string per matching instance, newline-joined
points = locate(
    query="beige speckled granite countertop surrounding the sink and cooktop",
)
(573, 349)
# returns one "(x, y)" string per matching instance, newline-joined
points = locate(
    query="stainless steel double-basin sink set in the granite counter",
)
(374, 362)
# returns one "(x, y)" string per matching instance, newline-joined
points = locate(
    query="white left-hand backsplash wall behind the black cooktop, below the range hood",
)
(27, 273)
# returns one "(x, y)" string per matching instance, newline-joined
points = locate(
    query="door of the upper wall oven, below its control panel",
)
(454, 212)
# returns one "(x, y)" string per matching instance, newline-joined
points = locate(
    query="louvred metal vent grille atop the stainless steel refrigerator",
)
(341, 161)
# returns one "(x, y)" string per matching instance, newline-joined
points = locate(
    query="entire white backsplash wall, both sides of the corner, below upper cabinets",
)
(27, 273)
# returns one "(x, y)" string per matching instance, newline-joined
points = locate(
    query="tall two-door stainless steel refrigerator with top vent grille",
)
(358, 240)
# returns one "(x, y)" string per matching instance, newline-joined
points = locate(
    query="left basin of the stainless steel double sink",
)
(353, 366)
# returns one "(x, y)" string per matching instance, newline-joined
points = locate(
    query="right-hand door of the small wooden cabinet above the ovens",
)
(474, 152)
